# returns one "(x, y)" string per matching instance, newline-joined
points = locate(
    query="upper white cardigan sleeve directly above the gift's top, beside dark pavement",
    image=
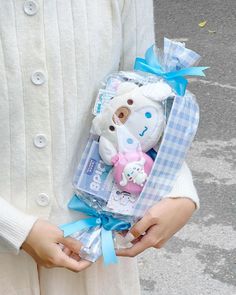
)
(137, 30)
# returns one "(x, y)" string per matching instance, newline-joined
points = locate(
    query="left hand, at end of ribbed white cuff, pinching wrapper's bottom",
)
(46, 244)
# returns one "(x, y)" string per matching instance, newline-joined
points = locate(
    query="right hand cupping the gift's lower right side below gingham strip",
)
(158, 225)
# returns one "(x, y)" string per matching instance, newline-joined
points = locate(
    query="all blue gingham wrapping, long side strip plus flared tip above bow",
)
(178, 135)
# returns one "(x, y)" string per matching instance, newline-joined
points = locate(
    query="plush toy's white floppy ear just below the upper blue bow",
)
(157, 91)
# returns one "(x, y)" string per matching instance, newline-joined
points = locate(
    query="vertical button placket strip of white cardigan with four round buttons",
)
(39, 171)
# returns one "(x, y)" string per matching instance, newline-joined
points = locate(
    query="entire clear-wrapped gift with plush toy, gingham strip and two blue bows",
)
(144, 124)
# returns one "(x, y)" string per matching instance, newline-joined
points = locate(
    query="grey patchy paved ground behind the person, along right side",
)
(201, 259)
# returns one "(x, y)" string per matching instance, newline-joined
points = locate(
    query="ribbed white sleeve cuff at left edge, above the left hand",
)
(14, 226)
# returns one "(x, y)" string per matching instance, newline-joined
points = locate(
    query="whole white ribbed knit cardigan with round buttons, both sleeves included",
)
(72, 45)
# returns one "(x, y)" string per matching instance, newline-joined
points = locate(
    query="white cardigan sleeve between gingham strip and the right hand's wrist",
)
(184, 186)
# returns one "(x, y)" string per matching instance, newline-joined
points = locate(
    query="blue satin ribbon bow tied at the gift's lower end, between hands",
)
(107, 223)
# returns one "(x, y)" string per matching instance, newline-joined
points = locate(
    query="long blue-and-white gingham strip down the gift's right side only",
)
(179, 133)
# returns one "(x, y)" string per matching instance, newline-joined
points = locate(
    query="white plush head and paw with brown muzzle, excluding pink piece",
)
(134, 118)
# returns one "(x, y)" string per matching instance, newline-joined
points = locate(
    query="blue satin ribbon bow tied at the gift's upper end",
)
(175, 79)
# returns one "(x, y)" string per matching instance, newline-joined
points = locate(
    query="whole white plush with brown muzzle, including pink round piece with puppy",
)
(130, 125)
